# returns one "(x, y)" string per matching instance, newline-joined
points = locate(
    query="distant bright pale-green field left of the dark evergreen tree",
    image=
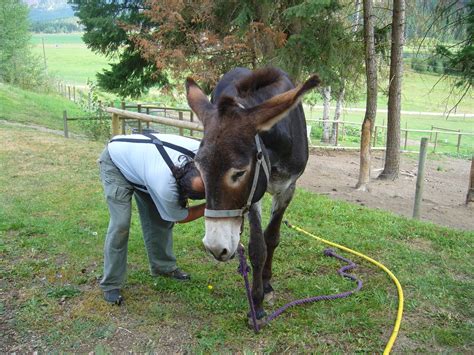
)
(68, 58)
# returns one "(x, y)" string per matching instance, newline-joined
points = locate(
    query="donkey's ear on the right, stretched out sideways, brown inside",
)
(273, 110)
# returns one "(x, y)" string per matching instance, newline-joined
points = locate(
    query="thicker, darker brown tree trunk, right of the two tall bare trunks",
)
(392, 159)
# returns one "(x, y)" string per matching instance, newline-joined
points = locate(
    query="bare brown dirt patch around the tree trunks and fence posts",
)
(335, 174)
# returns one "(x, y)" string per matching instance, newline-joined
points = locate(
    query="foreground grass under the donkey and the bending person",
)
(52, 225)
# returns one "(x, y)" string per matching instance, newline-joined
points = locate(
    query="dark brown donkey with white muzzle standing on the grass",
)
(254, 141)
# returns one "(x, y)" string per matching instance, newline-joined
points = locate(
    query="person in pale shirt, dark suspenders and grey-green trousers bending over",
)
(159, 171)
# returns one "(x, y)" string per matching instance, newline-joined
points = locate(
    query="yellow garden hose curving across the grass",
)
(398, 320)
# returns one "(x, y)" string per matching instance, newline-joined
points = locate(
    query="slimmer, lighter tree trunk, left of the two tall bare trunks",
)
(371, 104)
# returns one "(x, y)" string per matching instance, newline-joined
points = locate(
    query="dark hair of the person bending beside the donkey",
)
(184, 176)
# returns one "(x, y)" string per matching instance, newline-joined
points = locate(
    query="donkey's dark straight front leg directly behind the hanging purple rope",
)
(258, 254)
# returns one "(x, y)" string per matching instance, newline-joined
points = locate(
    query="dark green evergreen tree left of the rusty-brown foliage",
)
(107, 26)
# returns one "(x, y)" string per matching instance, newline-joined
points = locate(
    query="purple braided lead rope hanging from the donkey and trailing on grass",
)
(244, 269)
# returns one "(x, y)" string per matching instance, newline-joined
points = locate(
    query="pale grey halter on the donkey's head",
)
(261, 162)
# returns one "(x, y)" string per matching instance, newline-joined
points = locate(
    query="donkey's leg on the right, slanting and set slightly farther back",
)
(281, 200)
